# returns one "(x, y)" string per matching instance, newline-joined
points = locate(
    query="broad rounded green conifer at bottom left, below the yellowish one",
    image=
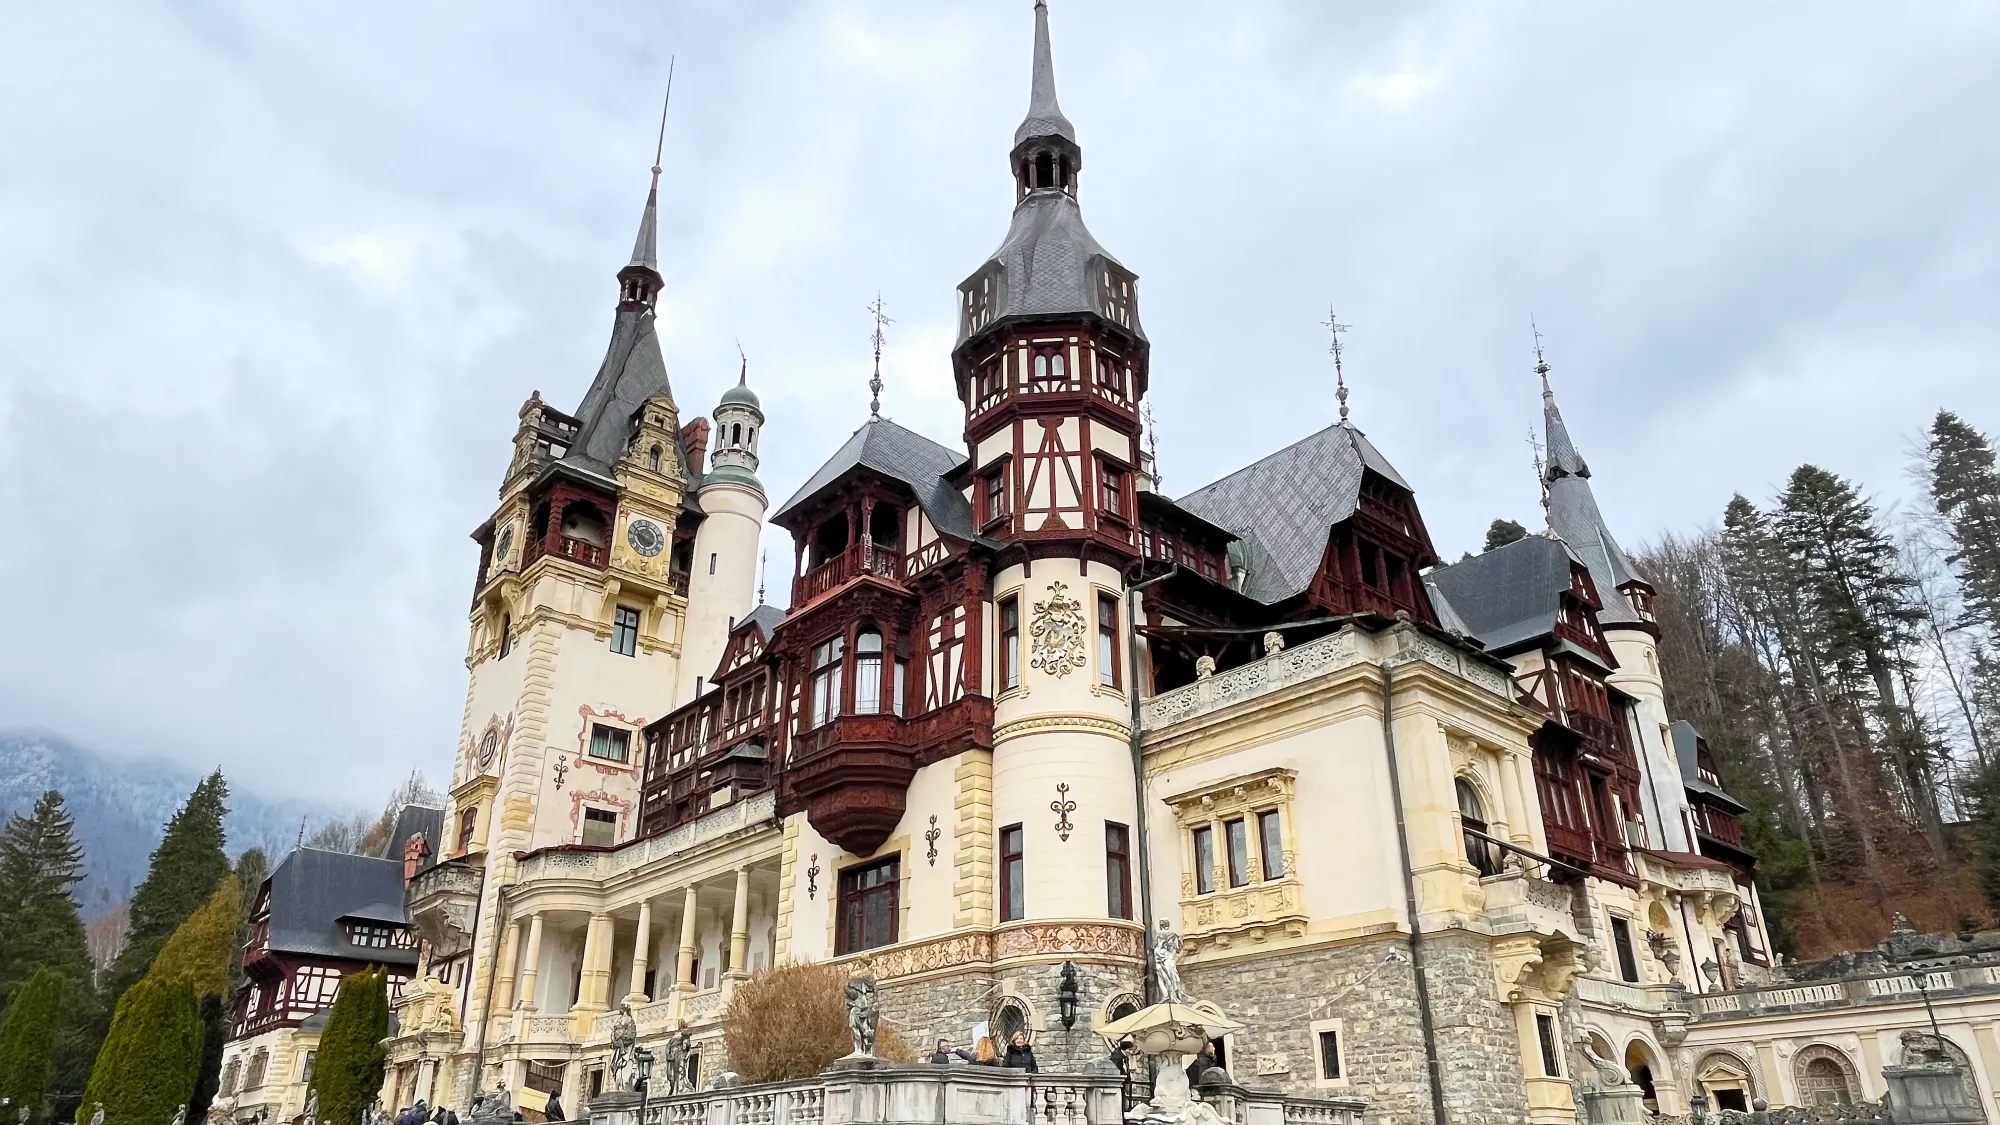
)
(151, 1056)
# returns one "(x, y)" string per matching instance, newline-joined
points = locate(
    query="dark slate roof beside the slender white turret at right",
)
(1511, 594)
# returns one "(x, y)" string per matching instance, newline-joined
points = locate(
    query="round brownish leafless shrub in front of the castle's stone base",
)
(793, 1022)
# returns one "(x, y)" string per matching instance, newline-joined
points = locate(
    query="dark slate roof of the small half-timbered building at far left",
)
(313, 890)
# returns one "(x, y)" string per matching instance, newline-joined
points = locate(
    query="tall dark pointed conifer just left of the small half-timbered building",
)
(183, 874)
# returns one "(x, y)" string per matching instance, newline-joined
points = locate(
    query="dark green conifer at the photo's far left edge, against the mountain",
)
(39, 922)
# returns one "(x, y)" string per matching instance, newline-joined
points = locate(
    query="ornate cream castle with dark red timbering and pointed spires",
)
(1427, 832)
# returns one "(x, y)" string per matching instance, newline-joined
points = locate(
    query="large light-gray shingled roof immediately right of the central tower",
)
(1285, 505)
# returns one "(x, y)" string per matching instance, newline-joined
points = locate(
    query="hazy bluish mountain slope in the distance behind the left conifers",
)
(121, 810)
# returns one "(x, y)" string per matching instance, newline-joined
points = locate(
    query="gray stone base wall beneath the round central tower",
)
(949, 1006)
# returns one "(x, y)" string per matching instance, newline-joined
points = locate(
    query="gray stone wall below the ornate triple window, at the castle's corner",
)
(1279, 998)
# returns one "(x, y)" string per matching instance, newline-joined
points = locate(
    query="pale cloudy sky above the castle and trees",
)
(273, 283)
